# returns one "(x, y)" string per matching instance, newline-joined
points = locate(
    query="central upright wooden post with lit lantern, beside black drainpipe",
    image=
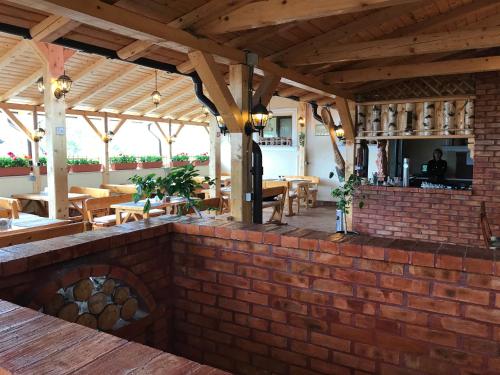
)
(241, 146)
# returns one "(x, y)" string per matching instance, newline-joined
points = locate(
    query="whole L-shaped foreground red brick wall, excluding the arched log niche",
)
(269, 299)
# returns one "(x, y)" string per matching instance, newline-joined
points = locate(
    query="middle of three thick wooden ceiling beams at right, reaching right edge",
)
(403, 46)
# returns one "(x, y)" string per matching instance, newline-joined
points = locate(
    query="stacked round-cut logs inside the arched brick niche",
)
(95, 302)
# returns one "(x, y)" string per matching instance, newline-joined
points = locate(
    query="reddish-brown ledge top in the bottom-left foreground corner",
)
(34, 343)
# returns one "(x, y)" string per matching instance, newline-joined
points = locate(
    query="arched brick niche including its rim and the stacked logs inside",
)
(107, 298)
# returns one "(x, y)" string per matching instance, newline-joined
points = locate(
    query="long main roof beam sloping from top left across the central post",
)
(122, 21)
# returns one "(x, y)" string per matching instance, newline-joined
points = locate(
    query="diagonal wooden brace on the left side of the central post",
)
(214, 81)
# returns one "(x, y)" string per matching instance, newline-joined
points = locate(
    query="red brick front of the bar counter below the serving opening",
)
(431, 215)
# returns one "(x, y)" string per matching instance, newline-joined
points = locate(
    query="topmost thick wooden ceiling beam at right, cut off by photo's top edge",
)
(274, 12)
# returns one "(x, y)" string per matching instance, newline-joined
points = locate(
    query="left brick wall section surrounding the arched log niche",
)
(31, 273)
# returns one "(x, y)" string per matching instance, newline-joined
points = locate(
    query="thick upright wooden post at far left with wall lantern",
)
(55, 118)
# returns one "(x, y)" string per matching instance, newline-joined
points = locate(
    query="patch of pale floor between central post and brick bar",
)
(321, 218)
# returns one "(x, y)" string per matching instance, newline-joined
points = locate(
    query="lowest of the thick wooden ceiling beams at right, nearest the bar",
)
(448, 67)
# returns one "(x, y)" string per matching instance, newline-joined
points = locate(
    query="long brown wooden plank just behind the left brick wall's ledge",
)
(35, 234)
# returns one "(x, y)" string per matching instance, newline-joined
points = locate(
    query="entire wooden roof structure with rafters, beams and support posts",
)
(330, 52)
